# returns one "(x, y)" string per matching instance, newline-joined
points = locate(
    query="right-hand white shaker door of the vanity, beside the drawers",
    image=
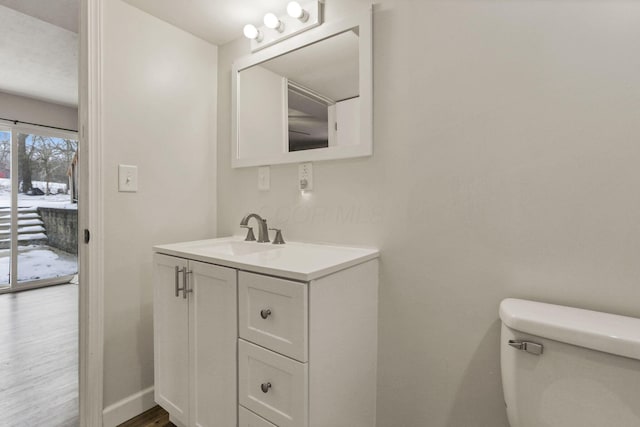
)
(213, 334)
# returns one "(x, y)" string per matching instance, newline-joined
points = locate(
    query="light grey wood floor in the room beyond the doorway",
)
(39, 358)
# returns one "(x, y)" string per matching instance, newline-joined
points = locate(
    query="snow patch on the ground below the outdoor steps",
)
(38, 262)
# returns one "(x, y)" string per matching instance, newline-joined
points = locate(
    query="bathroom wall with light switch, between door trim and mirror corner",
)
(159, 114)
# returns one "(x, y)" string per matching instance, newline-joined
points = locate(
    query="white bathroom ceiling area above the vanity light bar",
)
(217, 21)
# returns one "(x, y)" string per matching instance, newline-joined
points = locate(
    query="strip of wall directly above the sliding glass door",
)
(24, 109)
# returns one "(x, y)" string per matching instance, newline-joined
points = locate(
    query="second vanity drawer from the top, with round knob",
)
(272, 385)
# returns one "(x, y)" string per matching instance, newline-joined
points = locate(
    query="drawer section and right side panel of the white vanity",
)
(307, 350)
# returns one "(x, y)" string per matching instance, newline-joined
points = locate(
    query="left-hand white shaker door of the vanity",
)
(171, 338)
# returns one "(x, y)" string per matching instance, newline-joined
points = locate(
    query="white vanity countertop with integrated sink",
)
(293, 260)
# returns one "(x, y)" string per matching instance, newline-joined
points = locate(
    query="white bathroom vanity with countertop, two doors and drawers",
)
(262, 335)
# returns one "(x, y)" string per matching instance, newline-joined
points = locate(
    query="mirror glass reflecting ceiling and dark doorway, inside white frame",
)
(322, 86)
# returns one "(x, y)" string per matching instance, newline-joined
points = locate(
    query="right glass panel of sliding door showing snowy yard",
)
(46, 210)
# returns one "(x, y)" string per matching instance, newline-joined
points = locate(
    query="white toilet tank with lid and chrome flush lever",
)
(588, 372)
